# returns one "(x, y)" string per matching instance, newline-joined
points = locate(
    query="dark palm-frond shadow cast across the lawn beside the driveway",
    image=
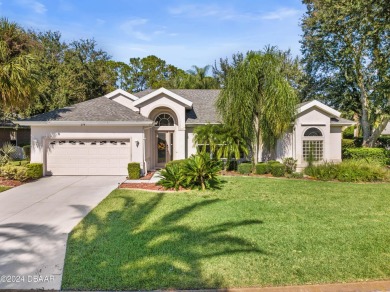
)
(144, 254)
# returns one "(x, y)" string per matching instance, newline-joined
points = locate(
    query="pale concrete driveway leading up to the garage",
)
(35, 220)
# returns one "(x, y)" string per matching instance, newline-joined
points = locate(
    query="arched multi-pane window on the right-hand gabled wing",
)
(313, 145)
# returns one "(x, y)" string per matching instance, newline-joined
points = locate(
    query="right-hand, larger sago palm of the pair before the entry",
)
(201, 171)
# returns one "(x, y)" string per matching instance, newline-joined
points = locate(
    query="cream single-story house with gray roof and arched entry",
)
(102, 135)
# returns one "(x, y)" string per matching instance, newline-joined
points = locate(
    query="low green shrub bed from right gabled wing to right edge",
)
(350, 171)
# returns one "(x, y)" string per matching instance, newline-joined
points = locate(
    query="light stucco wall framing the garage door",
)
(41, 134)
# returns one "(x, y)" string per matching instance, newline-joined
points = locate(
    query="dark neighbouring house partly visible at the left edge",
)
(14, 134)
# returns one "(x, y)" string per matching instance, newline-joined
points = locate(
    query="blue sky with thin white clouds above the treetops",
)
(181, 32)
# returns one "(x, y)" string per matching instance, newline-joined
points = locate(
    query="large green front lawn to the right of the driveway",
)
(252, 232)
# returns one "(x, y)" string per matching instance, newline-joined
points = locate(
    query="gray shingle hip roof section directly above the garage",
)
(99, 109)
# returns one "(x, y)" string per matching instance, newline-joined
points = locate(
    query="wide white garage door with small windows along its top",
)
(88, 157)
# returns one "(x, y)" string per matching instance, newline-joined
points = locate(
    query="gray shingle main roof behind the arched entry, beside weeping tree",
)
(203, 104)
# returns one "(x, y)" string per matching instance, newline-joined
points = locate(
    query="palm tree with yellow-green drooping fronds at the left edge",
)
(18, 67)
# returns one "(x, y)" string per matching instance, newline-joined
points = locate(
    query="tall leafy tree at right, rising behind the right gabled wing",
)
(346, 48)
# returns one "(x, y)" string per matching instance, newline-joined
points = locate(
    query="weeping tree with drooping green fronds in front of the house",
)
(257, 99)
